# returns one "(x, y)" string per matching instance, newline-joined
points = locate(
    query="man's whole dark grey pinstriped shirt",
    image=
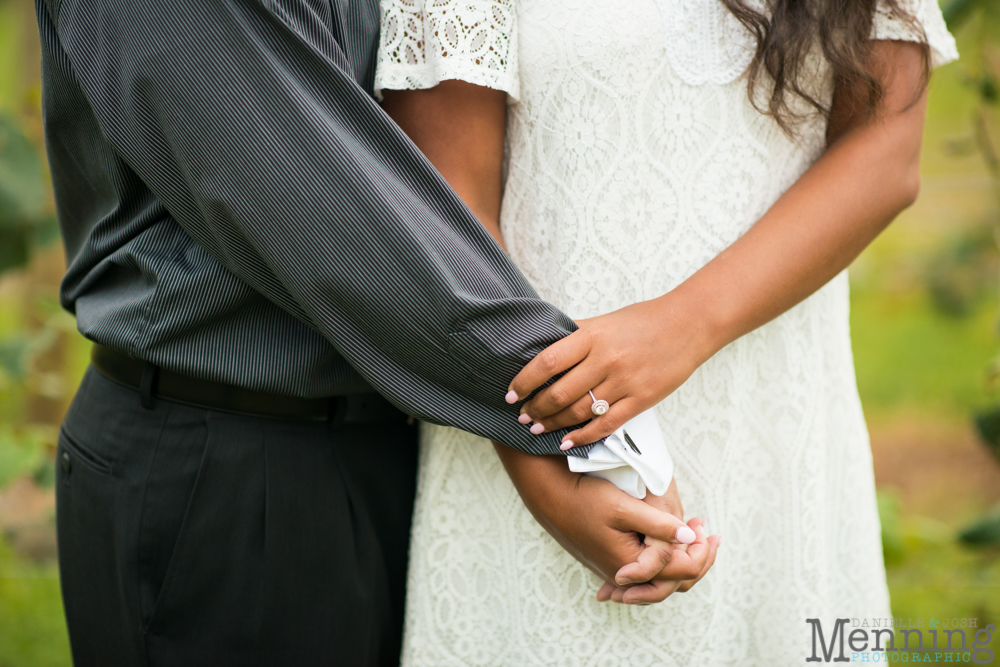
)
(236, 207)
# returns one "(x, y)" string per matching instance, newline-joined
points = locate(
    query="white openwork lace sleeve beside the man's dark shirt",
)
(423, 42)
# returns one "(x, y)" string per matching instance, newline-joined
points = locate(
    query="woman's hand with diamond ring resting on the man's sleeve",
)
(632, 358)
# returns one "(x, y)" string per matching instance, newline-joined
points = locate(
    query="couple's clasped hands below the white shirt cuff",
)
(602, 527)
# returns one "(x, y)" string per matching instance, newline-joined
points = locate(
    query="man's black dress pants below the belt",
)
(193, 537)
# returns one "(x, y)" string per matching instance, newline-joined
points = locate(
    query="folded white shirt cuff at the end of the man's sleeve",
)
(634, 458)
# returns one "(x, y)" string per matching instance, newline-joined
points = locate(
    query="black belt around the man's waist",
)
(152, 381)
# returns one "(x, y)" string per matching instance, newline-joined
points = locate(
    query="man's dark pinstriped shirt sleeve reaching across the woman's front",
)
(243, 119)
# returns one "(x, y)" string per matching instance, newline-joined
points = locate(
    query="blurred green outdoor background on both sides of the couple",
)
(925, 322)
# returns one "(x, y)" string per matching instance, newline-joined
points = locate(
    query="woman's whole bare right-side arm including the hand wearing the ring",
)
(636, 356)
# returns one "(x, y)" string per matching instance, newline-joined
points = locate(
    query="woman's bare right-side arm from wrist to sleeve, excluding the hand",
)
(816, 229)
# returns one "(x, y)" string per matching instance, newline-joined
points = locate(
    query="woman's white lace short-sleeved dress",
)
(635, 158)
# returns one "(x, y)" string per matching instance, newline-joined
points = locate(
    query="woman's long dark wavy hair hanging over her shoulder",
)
(787, 32)
